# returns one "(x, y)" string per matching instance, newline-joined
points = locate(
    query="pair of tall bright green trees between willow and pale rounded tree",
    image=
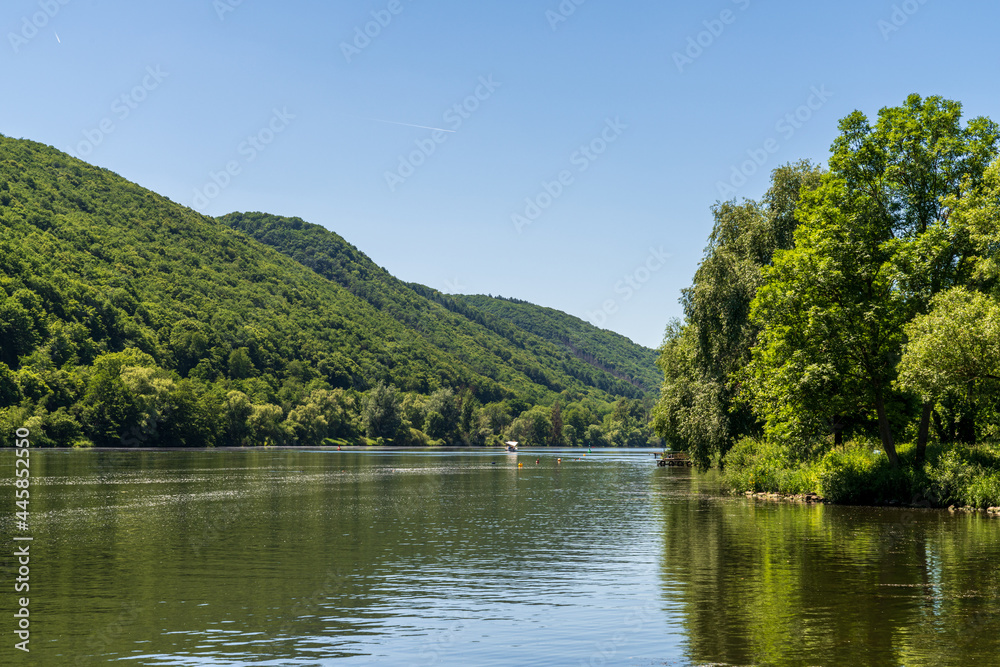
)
(864, 263)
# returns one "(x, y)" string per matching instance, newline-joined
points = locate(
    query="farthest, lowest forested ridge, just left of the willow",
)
(600, 348)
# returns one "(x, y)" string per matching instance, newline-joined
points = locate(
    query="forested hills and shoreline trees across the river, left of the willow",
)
(128, 320)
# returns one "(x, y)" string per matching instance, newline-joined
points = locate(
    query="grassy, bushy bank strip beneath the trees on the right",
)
(859, 473)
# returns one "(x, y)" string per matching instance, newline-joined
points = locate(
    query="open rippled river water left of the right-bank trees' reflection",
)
(303, 558)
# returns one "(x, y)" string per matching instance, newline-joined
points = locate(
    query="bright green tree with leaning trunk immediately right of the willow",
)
(831, 319)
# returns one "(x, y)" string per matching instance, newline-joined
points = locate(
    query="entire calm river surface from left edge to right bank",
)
(274, 557)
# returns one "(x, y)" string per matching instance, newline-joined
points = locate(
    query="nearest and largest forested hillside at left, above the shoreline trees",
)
(89, 253)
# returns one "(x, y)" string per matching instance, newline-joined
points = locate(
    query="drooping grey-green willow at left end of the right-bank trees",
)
(702, 358)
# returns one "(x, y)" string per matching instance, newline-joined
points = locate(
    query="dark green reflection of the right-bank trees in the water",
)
(788, 584)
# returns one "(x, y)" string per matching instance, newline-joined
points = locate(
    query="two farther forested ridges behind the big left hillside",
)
(558, 351)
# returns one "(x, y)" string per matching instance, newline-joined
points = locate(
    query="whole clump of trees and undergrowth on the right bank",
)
(842, 334)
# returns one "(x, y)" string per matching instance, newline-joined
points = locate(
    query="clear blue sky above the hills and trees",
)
(168, 93)
